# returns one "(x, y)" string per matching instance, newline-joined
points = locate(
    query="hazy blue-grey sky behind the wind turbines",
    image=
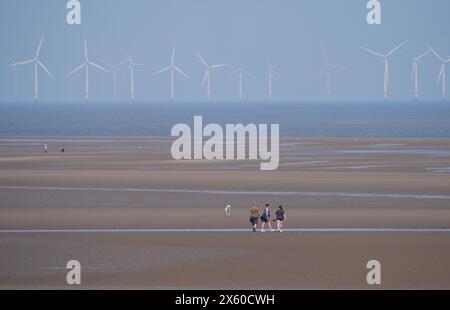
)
(238, 32)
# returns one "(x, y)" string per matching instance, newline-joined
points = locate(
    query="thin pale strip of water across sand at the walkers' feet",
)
(224, 230)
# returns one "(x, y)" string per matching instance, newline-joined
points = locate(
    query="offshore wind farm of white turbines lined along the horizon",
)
(240, 72)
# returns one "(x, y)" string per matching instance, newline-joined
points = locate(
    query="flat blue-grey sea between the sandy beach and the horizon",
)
(369, 119)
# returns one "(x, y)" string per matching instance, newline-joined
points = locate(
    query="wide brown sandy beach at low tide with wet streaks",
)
(119, 184)
